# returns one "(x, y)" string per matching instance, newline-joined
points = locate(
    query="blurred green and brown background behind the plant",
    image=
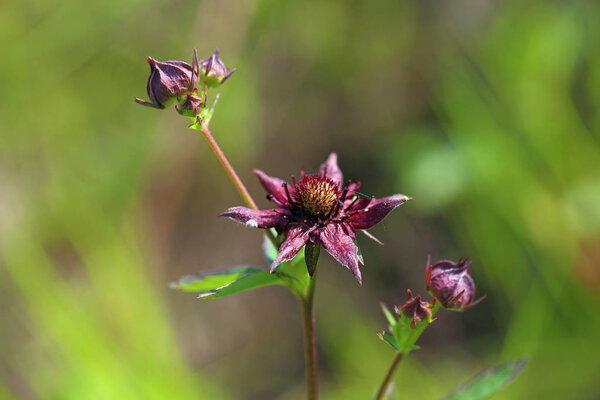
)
(484, 111)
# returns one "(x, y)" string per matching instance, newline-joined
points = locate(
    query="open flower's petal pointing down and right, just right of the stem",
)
(342, 248)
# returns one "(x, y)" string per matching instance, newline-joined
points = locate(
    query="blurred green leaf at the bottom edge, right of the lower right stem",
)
(488, 382)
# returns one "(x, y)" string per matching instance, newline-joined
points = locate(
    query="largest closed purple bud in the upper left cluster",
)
(168, 80)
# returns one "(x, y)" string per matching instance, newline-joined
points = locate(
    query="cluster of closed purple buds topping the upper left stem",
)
(187, 85)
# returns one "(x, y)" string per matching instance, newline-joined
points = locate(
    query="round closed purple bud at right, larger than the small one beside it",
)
(451, 283)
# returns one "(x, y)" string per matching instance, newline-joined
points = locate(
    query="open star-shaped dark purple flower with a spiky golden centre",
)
(320, 210)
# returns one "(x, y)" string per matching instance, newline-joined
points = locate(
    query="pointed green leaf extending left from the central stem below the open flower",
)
(227, 282)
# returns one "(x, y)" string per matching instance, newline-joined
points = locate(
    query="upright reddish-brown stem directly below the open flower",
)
(310, 342)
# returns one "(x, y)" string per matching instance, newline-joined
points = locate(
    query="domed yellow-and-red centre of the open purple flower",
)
(316, 195)
